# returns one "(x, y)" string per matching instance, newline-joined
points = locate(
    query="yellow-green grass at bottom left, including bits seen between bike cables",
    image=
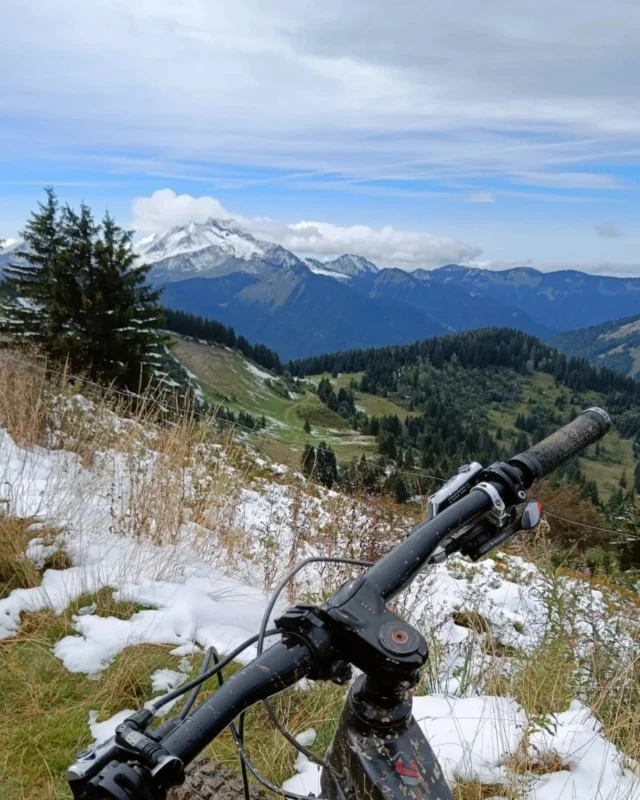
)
(45, 709)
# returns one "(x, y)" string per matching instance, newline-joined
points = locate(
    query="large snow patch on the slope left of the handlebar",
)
(188, 601)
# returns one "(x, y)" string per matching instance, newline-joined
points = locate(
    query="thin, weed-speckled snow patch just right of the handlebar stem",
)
(512, 602)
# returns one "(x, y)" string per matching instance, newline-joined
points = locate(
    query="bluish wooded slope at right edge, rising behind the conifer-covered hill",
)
(613, 344)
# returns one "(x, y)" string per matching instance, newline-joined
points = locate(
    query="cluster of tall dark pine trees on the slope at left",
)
(79, 295)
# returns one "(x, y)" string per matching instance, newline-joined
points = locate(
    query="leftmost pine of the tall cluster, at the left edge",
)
(29, 278)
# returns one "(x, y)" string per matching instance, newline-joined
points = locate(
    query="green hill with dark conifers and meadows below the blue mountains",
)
(447, 412)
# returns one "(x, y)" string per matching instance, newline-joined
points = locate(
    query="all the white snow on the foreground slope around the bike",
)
(191, 598)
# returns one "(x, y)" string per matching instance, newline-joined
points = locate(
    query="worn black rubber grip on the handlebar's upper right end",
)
(550, 453)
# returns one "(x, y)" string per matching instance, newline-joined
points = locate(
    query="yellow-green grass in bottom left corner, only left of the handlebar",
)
(45, 708)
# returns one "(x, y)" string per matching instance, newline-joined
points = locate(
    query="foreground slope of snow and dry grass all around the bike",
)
(130, 547)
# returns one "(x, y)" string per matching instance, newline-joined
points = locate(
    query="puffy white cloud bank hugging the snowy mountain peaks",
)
(386, 246)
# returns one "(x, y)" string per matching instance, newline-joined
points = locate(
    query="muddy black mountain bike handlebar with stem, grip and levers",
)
(354, 627)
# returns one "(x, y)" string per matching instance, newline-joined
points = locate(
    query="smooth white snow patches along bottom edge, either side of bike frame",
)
(474, 739)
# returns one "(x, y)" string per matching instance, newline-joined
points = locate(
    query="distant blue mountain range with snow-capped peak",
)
(301, 307)
